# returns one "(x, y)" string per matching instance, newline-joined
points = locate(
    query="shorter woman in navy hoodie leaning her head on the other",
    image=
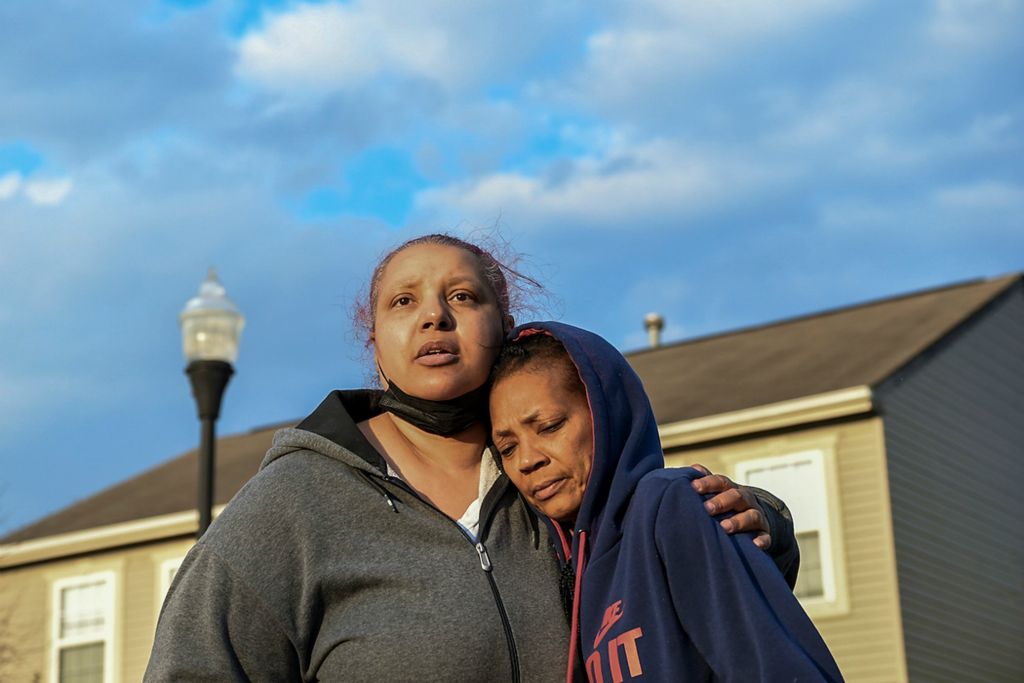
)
(661, 592)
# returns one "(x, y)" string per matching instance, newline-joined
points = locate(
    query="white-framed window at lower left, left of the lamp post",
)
(83, 629)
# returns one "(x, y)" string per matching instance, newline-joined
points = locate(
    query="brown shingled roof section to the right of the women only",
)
(857, 347)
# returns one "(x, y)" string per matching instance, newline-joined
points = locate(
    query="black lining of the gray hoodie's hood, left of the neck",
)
(336, 419)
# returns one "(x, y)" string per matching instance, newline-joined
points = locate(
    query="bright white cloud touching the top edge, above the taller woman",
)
(320, 49)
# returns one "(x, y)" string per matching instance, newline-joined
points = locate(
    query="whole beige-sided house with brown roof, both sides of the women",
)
(892, 430)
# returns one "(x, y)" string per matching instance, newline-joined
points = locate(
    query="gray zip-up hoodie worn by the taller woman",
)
(324, 568)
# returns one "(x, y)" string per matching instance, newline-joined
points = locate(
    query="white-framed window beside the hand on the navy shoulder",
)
(805, 481)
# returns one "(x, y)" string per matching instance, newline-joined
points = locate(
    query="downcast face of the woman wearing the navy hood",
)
(544, 433)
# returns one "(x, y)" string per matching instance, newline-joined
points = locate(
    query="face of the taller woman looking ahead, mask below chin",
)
(438, 325)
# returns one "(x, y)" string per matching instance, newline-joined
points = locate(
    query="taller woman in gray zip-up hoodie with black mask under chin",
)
(380, 540)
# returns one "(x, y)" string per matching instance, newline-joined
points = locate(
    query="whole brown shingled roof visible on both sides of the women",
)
(860, 346)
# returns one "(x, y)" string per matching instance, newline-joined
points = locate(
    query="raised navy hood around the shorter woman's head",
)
(626, 442)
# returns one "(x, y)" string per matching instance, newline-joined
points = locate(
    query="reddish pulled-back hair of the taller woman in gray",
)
(508, 284)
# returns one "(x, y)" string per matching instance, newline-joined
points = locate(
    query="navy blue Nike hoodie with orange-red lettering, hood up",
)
(663, 593)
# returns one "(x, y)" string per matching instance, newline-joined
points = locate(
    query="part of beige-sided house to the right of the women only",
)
(894, 433)
